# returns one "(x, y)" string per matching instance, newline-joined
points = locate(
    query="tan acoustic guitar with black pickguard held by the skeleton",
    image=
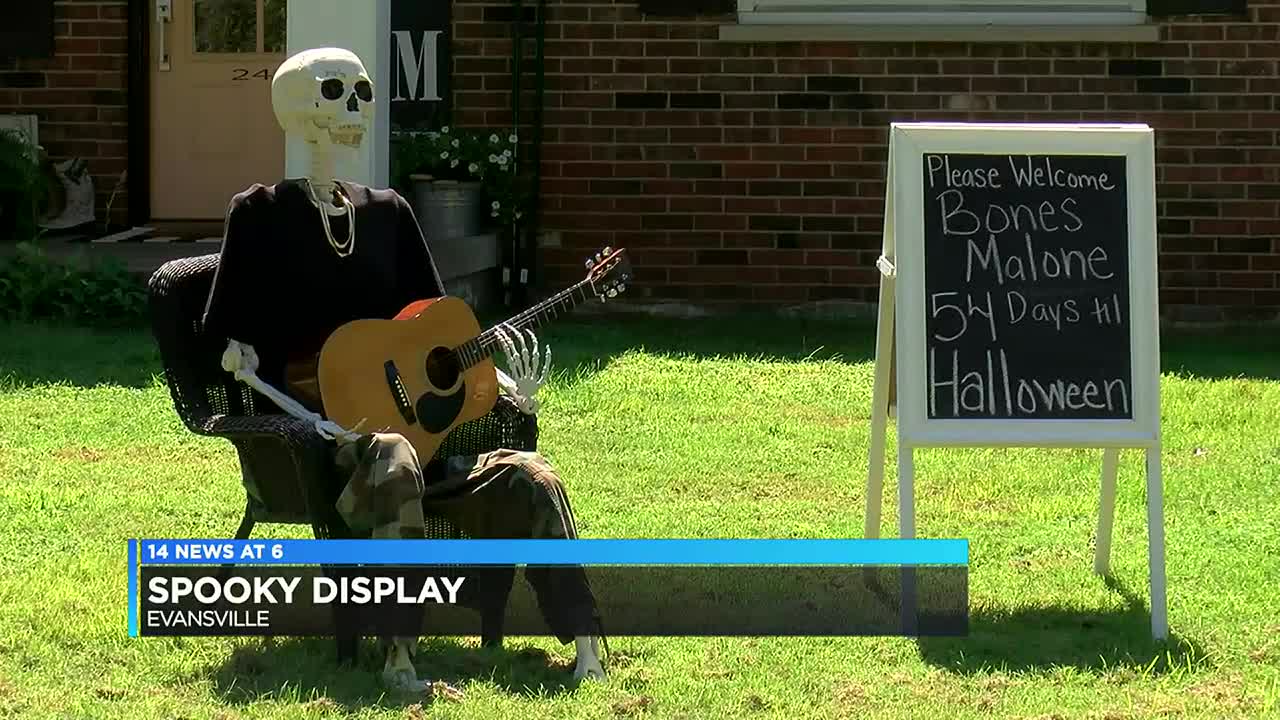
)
(429, 370)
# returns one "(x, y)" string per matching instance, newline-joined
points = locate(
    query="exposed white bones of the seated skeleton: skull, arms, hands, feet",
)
(326, 98)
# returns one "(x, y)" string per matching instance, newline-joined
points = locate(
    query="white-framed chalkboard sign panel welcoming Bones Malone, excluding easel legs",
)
(1022, 265)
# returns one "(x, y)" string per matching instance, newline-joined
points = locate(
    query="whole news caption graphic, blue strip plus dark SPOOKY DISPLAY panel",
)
(642, 587)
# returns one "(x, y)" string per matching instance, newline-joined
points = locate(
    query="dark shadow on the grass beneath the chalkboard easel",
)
(1041, 639)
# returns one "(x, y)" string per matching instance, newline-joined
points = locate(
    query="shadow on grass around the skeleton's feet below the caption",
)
(264, 669)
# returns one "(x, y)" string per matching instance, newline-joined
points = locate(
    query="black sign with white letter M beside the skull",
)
(422, 63)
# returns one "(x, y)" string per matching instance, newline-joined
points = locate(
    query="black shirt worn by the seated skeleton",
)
(282, 289)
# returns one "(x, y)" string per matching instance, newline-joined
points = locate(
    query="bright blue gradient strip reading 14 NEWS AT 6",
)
(650, 553)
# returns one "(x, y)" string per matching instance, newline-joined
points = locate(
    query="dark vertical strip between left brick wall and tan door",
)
(139, 184)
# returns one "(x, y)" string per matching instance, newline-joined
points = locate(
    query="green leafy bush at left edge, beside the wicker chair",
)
(35, 288)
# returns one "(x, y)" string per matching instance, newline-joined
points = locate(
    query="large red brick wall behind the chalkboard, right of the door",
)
(755, 172)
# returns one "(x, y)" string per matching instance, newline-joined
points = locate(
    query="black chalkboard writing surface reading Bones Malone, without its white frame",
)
(1027, 286)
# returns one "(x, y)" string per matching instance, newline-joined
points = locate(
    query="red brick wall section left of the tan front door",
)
(80, 93)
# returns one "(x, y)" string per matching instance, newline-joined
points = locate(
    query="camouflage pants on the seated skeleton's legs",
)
(497, 495)
